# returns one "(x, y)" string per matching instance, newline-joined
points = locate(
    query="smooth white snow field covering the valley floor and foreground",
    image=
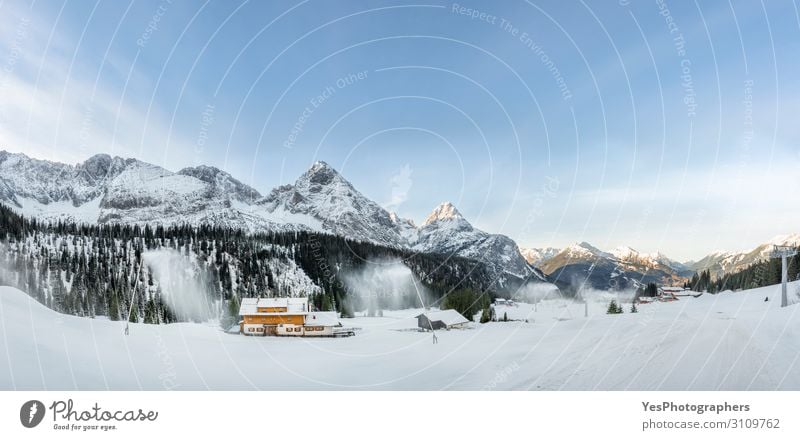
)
(730, 341)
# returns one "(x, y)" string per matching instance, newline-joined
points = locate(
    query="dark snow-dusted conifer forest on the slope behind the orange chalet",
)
(103, 270)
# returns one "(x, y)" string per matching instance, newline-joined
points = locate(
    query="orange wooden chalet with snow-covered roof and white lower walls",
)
(284, 317)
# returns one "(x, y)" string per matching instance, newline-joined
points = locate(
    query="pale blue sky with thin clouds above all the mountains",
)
(666, 126)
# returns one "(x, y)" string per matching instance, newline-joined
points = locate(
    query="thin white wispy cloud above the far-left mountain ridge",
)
(55, 105)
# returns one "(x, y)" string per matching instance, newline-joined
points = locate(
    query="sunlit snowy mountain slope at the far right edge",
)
(721, 262)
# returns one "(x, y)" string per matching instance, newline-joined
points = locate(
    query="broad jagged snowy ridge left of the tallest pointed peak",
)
(114, 190)
